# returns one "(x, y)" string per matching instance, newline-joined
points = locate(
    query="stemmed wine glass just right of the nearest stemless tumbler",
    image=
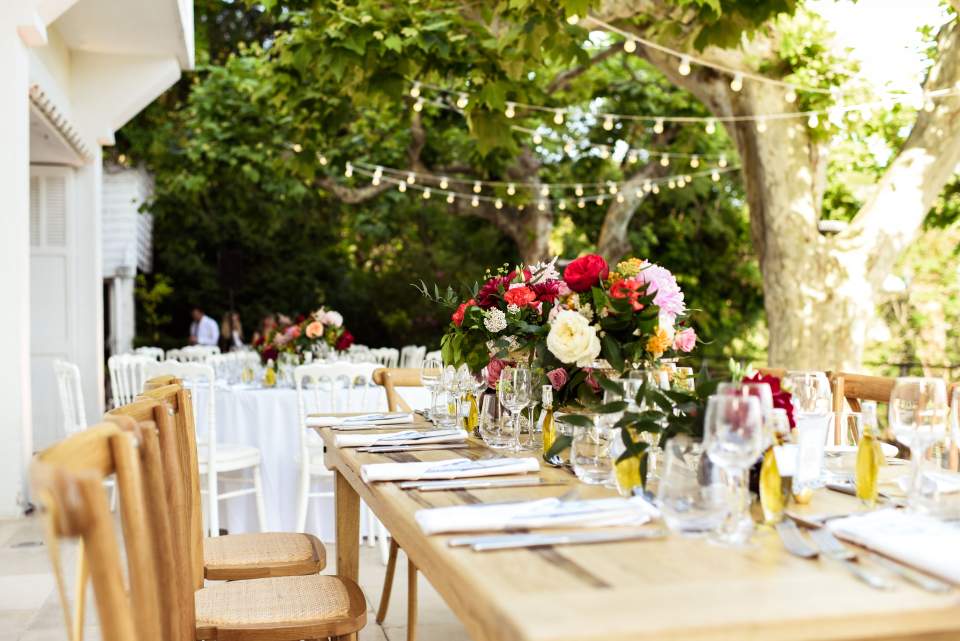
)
(734, 439)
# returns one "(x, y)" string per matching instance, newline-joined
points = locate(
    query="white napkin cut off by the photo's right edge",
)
(920, 541)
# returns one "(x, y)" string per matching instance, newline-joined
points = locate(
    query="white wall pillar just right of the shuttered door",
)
(89, 348)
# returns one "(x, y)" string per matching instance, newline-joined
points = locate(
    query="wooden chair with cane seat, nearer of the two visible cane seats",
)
(285, 608)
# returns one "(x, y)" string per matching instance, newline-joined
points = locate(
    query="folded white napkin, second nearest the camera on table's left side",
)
(449, 469)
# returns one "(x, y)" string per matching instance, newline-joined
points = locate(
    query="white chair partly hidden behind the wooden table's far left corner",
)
(348, 388)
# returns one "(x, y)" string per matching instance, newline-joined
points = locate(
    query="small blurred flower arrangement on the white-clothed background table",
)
(322, 329)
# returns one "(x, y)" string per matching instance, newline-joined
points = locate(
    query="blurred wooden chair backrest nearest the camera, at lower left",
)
(67, 481)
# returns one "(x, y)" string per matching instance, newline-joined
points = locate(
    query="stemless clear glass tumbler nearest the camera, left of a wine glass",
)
(691, 497)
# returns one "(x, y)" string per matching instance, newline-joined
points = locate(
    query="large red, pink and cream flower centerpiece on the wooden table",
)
(566, 327)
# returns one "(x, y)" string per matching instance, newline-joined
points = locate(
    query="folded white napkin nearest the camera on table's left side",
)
(544, 513)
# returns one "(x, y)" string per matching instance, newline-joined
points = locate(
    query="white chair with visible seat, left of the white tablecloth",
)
(216, 459)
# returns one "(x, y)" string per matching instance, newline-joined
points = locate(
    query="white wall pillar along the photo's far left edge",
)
(15, 419)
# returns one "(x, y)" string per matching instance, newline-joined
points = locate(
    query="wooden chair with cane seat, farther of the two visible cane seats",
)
(234, 556)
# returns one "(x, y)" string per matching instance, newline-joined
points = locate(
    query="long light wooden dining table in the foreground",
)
(673, 588)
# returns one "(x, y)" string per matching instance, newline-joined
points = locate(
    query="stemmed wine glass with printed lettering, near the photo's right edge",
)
(918, 416)
